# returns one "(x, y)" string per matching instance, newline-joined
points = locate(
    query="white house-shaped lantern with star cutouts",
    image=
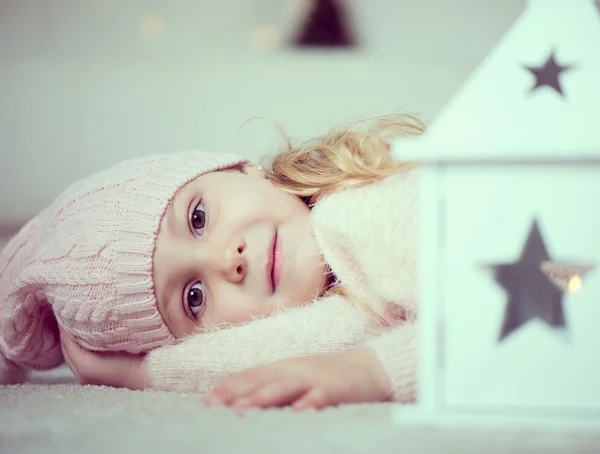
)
(510, 230)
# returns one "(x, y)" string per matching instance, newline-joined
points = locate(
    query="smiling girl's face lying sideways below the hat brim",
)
(231, 247)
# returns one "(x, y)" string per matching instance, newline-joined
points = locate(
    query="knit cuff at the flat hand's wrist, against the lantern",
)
(397, 350)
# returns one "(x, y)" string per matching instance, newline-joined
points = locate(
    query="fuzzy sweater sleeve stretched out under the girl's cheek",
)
(201, 361)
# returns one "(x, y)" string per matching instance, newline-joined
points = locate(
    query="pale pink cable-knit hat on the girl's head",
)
(85, 264)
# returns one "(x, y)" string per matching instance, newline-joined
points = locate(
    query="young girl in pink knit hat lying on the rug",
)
(289, 286)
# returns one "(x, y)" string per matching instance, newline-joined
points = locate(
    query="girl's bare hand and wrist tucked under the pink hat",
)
(121, 370)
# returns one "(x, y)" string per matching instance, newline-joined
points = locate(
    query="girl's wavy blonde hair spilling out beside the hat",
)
(348, 156)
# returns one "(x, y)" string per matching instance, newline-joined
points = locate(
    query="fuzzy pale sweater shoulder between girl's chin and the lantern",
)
(368, 236)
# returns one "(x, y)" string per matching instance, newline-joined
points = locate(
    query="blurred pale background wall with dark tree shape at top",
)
(88, 83)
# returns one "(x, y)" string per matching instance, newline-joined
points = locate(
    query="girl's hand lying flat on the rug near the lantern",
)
(307, 382)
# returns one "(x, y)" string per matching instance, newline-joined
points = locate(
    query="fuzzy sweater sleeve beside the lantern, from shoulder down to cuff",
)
(369, 236)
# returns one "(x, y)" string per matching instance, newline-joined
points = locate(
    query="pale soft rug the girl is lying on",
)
(55, 415)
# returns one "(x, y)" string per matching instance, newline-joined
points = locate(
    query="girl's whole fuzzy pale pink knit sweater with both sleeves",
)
(368, 237)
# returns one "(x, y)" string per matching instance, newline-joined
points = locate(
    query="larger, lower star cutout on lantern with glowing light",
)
(536, 285)
